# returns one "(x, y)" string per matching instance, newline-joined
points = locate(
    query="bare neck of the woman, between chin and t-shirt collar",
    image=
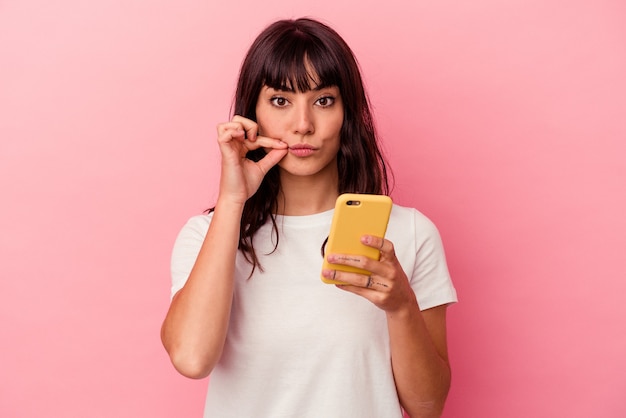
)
(307, 195)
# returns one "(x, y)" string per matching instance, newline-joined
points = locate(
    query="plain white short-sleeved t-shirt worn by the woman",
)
(297, 347)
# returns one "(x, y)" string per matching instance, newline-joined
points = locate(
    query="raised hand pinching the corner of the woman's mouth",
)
(241, 177)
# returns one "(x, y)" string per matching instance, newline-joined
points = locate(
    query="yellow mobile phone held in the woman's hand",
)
(356, 215)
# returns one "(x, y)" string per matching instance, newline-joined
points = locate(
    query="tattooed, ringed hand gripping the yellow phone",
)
(387, 287)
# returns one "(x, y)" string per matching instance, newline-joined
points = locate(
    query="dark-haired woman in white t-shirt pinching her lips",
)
(248, 306)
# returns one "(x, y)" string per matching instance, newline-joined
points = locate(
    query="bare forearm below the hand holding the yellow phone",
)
(421, 373)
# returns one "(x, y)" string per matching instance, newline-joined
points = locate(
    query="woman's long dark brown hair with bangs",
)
(282, 57)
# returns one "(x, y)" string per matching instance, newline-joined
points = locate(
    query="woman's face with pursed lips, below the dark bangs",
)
(309, 122)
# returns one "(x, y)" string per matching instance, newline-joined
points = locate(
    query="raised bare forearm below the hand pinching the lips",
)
(195, 326)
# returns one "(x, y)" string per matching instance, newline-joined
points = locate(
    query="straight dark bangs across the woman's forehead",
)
(299, 64)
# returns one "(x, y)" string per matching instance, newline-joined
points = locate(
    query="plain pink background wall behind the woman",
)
(505, 122)
